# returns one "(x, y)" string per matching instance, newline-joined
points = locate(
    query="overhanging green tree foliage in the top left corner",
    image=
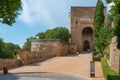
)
(9, 10)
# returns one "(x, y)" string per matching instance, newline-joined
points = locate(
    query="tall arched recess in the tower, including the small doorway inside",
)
(87, 38)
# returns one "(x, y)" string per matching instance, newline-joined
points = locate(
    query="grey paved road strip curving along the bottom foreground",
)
(39, 76)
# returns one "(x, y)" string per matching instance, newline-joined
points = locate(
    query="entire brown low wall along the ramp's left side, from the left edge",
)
(25, 57)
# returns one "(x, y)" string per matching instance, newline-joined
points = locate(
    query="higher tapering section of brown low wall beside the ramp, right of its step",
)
(28, 57)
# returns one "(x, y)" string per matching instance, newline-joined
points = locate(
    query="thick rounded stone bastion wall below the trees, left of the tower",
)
(54, 46)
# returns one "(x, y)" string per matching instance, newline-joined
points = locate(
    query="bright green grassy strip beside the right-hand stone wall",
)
(109, 74)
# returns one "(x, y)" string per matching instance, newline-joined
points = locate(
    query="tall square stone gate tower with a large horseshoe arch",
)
(81, 27)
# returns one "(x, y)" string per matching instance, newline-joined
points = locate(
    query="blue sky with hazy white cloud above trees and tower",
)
(38, 16)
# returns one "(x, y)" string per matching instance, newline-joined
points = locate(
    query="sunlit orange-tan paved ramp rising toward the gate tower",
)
(72, 65)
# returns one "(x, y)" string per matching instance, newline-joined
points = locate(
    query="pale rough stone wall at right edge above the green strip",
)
(114, 56)
